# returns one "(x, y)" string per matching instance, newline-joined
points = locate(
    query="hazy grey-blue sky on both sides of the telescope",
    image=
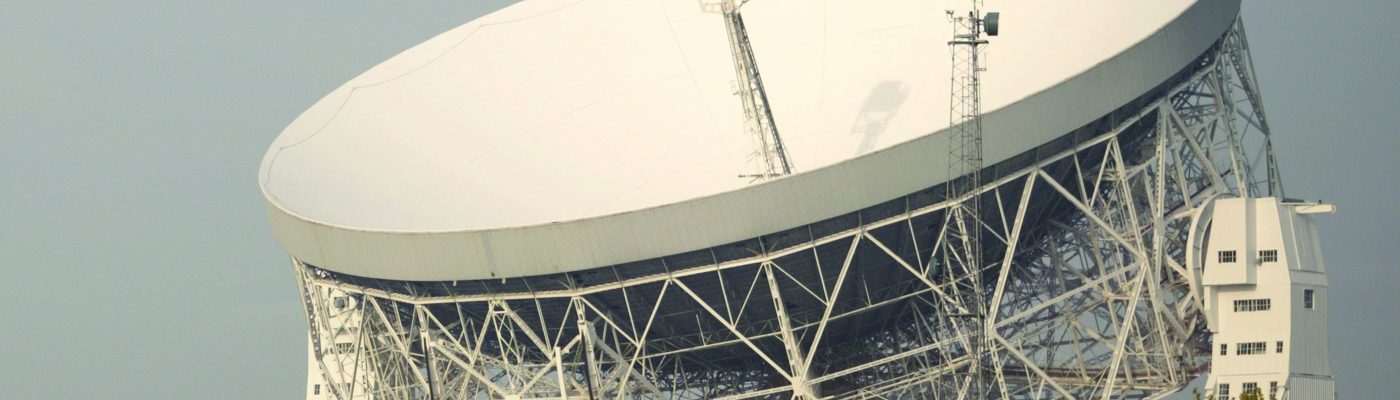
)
(138, 261)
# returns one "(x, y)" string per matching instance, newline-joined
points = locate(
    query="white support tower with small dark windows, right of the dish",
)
(1266, 300)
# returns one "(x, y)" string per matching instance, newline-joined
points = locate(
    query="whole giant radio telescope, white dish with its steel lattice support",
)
(544, 203)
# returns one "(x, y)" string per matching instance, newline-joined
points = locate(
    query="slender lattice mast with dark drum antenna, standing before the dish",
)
(962, 241)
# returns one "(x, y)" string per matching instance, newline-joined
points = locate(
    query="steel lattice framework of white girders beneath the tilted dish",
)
(1087, 287)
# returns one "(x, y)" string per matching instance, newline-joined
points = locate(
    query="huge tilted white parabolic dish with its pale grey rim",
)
(556, 136)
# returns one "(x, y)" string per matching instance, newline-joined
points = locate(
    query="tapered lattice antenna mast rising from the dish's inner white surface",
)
(769, 156)
